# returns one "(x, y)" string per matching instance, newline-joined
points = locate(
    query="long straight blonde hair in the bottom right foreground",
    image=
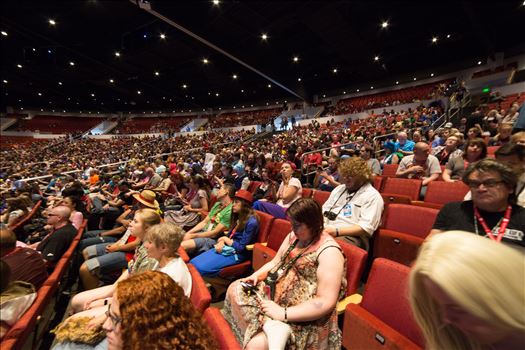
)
(483, 277)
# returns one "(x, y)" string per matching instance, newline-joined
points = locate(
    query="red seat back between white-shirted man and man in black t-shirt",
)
(414, 220)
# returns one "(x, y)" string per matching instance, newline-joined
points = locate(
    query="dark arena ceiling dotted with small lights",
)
(63, 54)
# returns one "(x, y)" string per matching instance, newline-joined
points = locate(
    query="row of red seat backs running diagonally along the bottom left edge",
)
(34, 322)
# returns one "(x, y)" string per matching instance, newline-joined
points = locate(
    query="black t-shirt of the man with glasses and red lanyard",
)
(460, 216)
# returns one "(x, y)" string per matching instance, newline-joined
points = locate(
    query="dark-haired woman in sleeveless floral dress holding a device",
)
(306, 279)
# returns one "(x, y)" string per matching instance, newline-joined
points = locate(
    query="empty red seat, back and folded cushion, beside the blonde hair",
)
(383, 320)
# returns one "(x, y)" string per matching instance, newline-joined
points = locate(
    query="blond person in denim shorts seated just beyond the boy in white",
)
(106, 258)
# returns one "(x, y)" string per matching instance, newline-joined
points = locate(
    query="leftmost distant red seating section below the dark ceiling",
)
(56, 124)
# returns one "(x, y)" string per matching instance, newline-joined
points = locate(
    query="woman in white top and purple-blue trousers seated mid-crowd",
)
(289, 191)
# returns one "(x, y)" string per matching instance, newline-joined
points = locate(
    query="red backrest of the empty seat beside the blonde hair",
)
(386, 297)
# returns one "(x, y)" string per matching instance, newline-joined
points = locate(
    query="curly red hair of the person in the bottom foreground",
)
(156, 315)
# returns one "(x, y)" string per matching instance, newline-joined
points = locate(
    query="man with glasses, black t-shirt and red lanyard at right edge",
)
(492, 212)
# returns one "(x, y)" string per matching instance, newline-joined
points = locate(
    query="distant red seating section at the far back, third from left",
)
(233, 119)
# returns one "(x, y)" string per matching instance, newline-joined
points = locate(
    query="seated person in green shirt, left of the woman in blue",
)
(202, 237)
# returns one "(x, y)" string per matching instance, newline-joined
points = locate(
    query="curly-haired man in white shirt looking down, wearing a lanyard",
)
(353, 210)
